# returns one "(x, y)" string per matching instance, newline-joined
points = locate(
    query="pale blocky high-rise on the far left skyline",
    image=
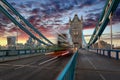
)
(11, 42)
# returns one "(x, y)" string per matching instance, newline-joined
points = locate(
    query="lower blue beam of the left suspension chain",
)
(20, 25)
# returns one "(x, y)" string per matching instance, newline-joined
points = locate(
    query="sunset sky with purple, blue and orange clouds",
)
(51, 17)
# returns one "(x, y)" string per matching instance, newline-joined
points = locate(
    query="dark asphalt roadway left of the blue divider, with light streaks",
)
(41, 67)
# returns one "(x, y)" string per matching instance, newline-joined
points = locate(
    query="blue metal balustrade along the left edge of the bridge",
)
(6, 55)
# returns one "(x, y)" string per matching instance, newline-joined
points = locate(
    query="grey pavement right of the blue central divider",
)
(91, 66)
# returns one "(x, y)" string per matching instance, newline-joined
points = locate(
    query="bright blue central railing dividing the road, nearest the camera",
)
(68, 71)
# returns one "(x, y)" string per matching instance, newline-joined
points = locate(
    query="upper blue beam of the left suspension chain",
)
(26, 22)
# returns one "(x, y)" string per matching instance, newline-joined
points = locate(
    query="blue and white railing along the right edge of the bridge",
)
(109, 53)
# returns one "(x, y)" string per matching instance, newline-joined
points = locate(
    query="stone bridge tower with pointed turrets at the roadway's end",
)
(76, 31)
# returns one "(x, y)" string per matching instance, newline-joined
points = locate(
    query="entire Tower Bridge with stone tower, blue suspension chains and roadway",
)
(54, 63)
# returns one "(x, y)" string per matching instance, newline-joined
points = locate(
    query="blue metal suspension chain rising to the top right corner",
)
(103, 25)
